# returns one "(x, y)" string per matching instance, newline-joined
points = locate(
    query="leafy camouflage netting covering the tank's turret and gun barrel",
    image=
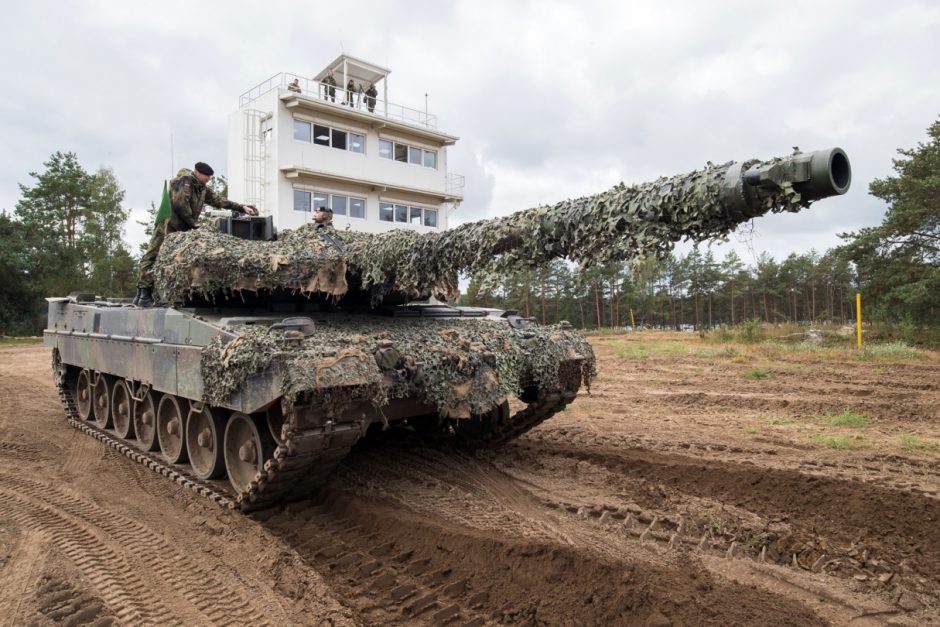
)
(619, 224)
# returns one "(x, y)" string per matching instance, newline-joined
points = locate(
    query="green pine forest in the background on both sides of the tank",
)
(66, 234)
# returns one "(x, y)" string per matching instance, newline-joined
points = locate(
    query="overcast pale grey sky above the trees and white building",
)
(551, 100)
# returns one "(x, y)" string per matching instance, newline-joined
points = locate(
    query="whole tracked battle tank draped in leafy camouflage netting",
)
(271, 357)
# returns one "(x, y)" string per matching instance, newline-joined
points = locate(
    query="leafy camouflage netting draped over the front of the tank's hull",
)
(461, 367)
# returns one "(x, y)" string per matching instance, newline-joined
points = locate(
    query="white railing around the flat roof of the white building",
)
(340, 96)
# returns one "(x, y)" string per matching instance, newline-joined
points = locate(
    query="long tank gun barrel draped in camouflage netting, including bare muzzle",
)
(622, 223)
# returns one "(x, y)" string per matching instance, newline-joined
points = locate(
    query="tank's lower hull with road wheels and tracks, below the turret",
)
(276, 429)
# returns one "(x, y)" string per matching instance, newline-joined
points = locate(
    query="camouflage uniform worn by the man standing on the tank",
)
(187, 197)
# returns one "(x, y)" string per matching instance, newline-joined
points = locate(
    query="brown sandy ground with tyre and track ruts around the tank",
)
(685, 489)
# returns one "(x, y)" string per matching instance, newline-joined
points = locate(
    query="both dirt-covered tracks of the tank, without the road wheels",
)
(302, 462)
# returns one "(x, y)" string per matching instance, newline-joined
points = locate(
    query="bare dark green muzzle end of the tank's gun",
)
(814, 175)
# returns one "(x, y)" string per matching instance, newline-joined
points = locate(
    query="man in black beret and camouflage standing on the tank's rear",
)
(189, 191)
